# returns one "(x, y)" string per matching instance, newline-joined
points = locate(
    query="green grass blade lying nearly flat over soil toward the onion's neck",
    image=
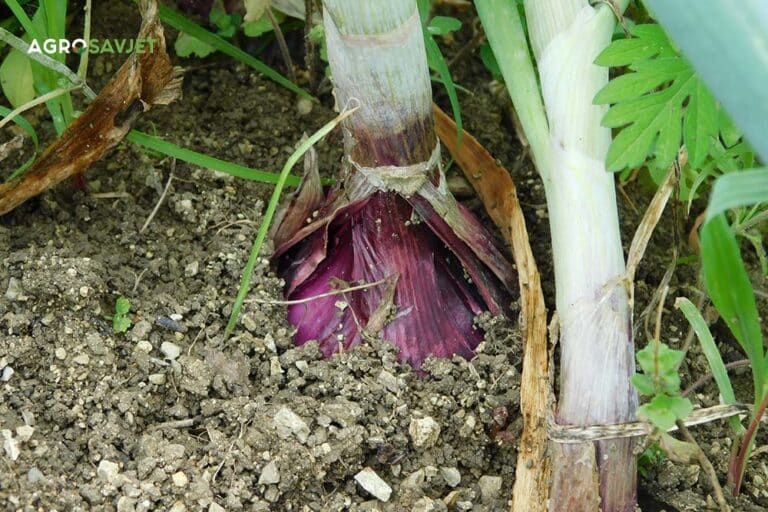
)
(205, 161)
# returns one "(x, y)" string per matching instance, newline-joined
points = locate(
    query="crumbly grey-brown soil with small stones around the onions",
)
(171, 415)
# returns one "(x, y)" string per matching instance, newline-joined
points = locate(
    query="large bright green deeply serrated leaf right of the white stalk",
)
(659, 104)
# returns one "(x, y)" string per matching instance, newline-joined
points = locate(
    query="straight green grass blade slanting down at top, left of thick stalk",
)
(180, 22)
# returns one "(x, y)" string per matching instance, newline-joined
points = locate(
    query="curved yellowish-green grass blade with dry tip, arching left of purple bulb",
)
(266, 221)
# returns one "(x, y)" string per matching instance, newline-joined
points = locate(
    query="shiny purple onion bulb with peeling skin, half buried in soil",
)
(375, 238)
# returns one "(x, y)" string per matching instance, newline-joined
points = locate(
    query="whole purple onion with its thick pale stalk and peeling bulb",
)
(391, 217)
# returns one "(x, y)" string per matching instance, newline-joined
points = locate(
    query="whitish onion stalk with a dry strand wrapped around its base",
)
(570, 146)
